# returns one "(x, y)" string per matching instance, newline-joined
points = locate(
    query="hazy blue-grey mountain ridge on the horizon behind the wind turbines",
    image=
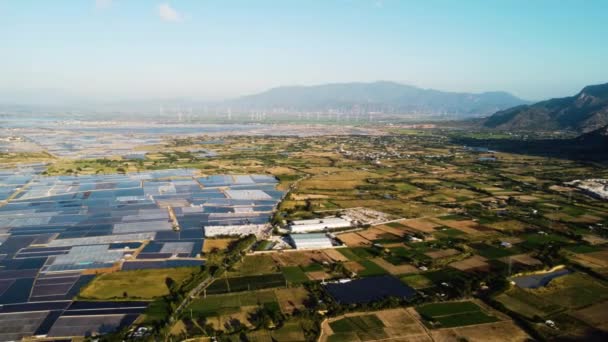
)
(382, 96)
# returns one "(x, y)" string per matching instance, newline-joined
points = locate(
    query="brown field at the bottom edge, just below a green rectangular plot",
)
(499, 331)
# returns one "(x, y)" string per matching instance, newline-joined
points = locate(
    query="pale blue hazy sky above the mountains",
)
(214, 49)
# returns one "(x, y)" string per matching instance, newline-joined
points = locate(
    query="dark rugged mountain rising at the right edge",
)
(585, 112)
